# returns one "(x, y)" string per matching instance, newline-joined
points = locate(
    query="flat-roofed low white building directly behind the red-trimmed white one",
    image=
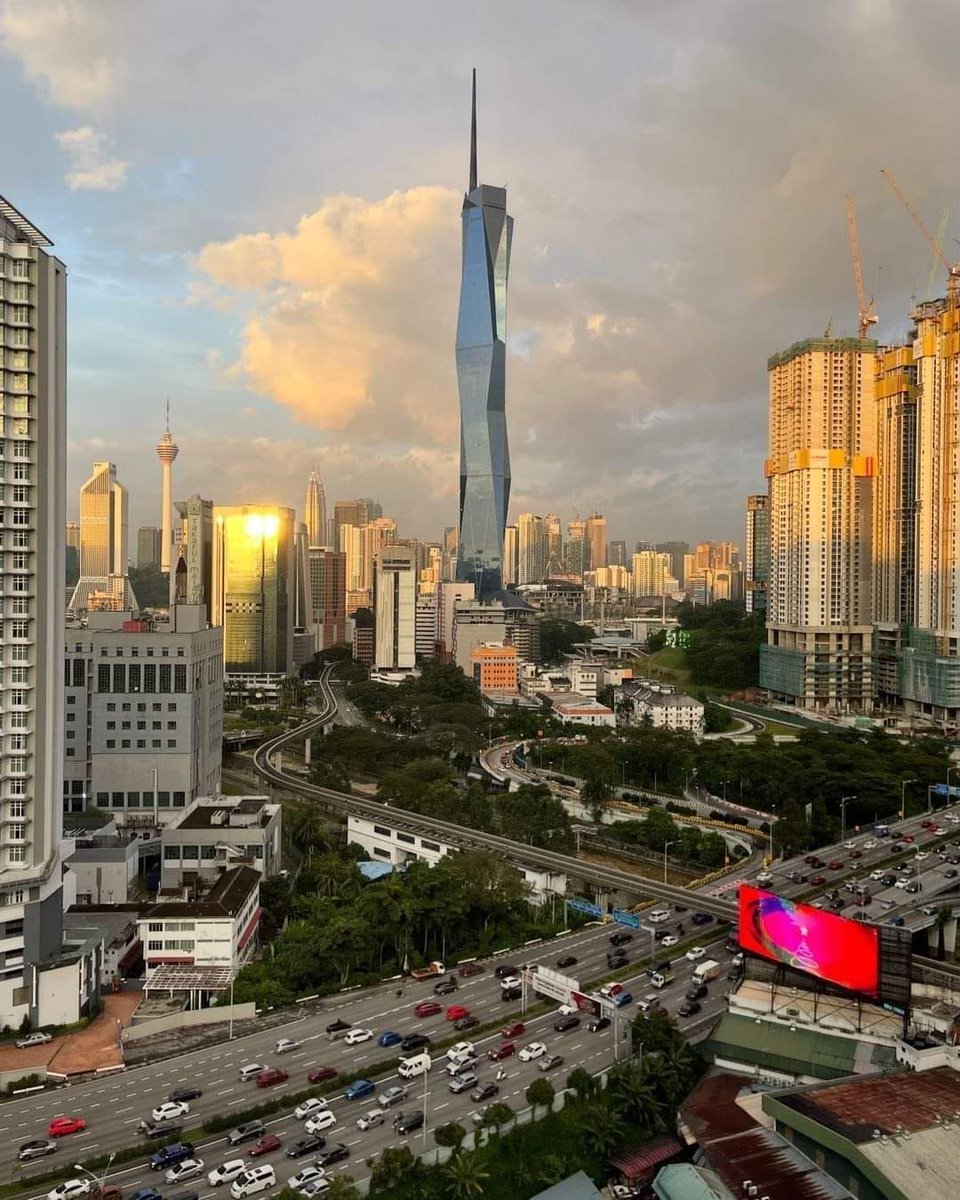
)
(215, 833)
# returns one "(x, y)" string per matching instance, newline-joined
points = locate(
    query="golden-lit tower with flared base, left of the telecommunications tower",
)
(104, 581)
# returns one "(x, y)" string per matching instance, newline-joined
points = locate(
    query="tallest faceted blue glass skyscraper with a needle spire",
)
(482, 369)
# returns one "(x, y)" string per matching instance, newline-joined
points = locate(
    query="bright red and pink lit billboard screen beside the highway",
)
(832, 949)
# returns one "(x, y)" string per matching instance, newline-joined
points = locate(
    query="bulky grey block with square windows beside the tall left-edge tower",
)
(145, 715)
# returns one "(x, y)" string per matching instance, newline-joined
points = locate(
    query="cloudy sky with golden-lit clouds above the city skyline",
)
(259, 202)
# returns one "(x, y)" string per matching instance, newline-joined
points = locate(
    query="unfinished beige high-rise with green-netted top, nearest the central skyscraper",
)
(821, 475)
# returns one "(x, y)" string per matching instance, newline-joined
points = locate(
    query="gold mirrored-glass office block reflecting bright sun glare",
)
(254, 591)
